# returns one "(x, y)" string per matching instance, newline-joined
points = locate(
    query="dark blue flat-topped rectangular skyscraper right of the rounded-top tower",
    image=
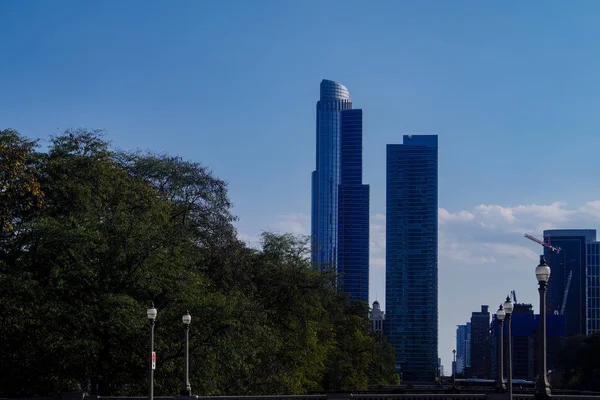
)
(411, 255)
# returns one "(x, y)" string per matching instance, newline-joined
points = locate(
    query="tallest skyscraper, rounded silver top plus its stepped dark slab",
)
(340, 202)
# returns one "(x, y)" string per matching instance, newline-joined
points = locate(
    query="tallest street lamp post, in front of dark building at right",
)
(542, 387)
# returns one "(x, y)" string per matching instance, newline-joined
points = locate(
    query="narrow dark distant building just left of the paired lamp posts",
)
(480, 344)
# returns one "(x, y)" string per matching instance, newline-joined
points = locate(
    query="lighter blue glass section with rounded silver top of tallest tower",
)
(326, 178)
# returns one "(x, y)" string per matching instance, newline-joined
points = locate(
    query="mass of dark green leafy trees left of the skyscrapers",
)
(88, 235)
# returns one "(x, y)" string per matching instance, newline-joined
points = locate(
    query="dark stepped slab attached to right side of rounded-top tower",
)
(353, 212)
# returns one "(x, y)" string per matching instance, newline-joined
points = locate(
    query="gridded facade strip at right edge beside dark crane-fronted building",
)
(592, 310)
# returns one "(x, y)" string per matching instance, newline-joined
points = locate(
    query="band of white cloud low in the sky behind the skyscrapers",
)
(485, 234)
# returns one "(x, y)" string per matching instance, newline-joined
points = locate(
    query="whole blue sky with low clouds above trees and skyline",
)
(511, 88)
